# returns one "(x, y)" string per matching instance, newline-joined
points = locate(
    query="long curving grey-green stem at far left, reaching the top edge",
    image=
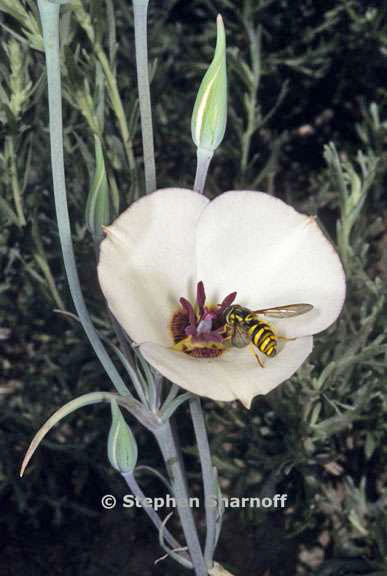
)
(49, 13)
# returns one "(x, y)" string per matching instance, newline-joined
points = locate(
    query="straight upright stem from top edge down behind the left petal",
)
(140, 8)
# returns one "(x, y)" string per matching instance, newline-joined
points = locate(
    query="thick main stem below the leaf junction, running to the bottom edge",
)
(166, 441)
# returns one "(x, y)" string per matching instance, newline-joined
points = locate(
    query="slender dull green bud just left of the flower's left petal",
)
(98, 211)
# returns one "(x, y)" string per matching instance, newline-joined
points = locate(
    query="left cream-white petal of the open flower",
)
(147, 261)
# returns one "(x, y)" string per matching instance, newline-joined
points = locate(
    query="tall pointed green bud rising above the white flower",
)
(209, 117)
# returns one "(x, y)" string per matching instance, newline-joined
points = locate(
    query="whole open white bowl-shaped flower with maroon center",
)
(173, 264)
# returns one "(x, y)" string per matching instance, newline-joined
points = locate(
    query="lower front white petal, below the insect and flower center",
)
(234, 375)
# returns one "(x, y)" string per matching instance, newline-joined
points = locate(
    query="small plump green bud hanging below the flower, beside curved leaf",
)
(122, 445)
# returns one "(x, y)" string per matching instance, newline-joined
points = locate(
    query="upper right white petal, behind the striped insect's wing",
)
(273, 256)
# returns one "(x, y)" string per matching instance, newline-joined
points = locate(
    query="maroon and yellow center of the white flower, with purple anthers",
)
(199, 330)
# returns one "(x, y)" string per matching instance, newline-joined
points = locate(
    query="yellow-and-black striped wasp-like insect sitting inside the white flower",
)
(244, 327)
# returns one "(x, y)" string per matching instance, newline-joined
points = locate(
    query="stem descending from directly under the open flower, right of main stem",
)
(208, 477)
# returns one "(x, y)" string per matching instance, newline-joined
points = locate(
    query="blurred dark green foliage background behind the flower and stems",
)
(301, 75)
